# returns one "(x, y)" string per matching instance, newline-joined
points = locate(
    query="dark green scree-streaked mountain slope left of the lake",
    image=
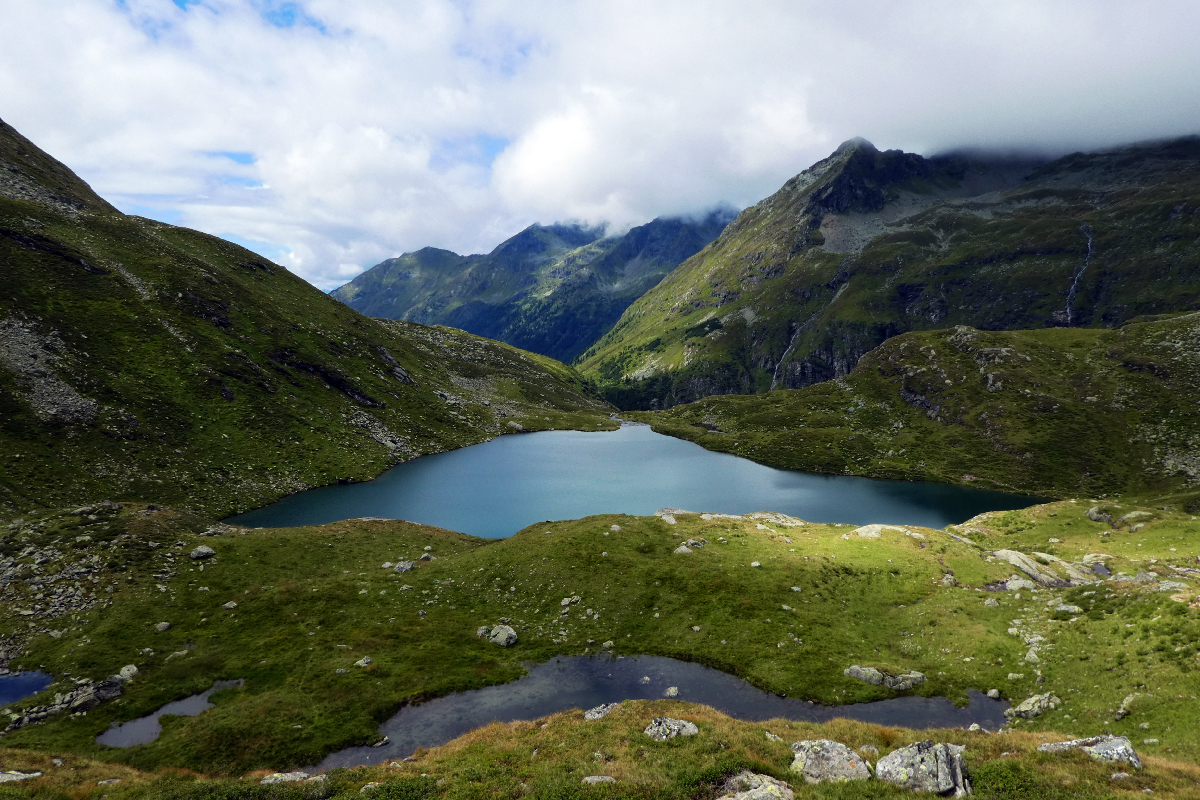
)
(143, 360)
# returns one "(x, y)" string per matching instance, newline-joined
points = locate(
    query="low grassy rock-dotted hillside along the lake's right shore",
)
(1060, 412)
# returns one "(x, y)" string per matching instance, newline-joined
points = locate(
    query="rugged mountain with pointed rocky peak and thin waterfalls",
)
(867, 245)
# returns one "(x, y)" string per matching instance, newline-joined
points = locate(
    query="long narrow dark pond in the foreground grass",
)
(587, 682)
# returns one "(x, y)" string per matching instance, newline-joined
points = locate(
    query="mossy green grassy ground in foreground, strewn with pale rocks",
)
(311, 601)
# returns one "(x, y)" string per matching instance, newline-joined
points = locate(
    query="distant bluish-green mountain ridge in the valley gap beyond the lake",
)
(553, 290)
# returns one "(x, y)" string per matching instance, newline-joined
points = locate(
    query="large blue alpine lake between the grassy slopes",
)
(496, 489)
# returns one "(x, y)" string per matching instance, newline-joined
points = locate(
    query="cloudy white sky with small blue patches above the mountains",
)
(331, 135)
